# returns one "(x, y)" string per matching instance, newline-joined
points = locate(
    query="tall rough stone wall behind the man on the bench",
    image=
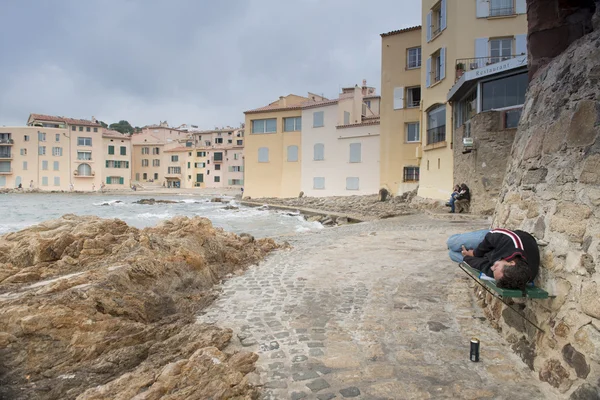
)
(552, 189)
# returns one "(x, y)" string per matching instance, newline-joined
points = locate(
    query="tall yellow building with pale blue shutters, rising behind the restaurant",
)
(458, 36)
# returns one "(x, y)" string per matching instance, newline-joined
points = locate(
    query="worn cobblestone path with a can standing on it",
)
(369, 311)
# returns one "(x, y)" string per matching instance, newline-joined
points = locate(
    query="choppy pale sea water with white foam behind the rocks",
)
(22, 210)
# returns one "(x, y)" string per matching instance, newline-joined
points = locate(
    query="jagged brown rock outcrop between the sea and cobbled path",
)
(95, 309)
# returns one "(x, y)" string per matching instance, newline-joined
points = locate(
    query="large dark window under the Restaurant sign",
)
(505, 92)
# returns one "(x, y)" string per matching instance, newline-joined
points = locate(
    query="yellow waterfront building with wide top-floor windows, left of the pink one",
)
(273, 133)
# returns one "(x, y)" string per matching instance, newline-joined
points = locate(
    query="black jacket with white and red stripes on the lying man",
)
(502, 244)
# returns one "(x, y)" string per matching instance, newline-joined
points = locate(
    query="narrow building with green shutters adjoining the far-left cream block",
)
(116, 170)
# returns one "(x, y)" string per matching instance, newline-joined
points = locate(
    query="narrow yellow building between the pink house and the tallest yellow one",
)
(400, 109)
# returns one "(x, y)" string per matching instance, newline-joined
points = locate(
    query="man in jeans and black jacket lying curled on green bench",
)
(512, 258)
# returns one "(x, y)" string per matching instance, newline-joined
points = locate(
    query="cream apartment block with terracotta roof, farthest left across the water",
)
(52, 153)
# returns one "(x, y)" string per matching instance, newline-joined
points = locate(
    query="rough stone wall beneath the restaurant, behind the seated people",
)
(484, 167)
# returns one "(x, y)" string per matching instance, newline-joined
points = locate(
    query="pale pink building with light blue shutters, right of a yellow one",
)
(340, 144)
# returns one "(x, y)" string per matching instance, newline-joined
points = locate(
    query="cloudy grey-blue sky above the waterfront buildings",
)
(194, 62)
